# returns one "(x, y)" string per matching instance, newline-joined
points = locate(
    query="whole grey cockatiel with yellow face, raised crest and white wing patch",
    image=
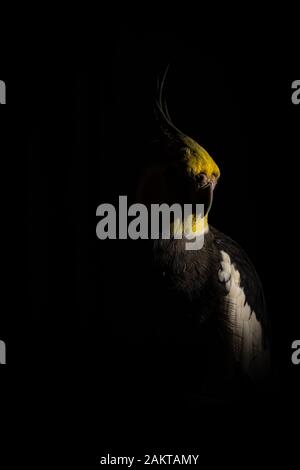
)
(217, 286)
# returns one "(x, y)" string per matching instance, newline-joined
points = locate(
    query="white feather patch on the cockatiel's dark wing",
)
(242, 326)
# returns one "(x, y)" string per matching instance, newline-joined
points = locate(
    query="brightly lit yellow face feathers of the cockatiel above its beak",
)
(198, 161)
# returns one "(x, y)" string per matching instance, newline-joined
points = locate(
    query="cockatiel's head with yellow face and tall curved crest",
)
(185, 172)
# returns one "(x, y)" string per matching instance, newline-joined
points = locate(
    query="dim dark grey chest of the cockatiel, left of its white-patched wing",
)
(187, 287)
